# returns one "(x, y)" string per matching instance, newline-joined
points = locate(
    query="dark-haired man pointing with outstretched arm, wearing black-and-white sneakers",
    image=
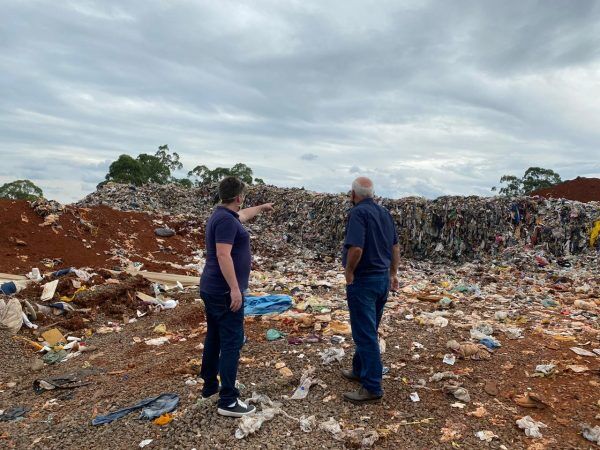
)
(224, 279)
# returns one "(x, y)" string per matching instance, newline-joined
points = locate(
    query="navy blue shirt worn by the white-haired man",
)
(372, 228)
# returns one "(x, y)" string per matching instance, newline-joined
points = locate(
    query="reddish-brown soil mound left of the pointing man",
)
(25, 244)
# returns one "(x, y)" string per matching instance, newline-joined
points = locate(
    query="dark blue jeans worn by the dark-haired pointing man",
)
(222, 344)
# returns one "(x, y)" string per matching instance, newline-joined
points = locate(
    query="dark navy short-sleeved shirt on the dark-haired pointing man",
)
(224, 227)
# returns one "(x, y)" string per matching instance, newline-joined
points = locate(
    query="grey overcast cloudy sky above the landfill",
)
(425, 97)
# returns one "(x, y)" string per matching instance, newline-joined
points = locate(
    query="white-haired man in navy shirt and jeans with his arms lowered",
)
(371, 257)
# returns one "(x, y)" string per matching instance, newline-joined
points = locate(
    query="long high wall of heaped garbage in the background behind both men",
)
(448, 227)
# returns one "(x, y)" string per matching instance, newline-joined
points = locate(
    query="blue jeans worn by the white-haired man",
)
(367, 296)
